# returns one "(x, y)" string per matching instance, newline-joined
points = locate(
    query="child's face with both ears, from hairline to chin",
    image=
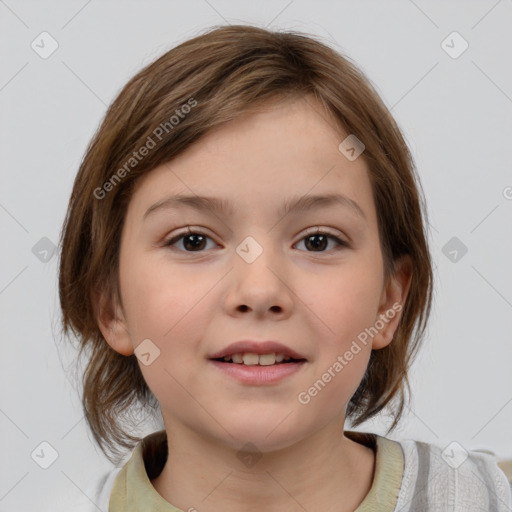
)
(310, 277)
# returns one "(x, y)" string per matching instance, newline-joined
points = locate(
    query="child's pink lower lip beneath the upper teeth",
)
(258, 375)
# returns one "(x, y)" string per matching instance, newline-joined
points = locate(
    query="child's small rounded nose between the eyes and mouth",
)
(260, 282)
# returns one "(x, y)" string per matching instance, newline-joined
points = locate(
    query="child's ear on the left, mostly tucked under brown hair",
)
(111, 321)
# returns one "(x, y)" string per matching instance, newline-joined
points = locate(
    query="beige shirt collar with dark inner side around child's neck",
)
(133, 491)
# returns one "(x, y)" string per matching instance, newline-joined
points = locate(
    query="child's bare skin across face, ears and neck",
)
(191, 304)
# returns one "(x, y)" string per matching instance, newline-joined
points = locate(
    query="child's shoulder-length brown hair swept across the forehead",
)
(223, 73)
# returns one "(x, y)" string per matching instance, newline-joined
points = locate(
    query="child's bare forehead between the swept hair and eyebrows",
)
(286, 150)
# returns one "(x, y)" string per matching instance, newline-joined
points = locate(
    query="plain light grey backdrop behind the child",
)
(456, 114)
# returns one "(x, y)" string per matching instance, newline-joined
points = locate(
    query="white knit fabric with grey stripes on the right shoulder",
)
(451, 478)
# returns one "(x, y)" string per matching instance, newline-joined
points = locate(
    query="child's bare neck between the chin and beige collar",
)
(326, 471)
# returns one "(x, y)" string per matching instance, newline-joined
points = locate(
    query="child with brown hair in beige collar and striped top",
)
(245, 249)
